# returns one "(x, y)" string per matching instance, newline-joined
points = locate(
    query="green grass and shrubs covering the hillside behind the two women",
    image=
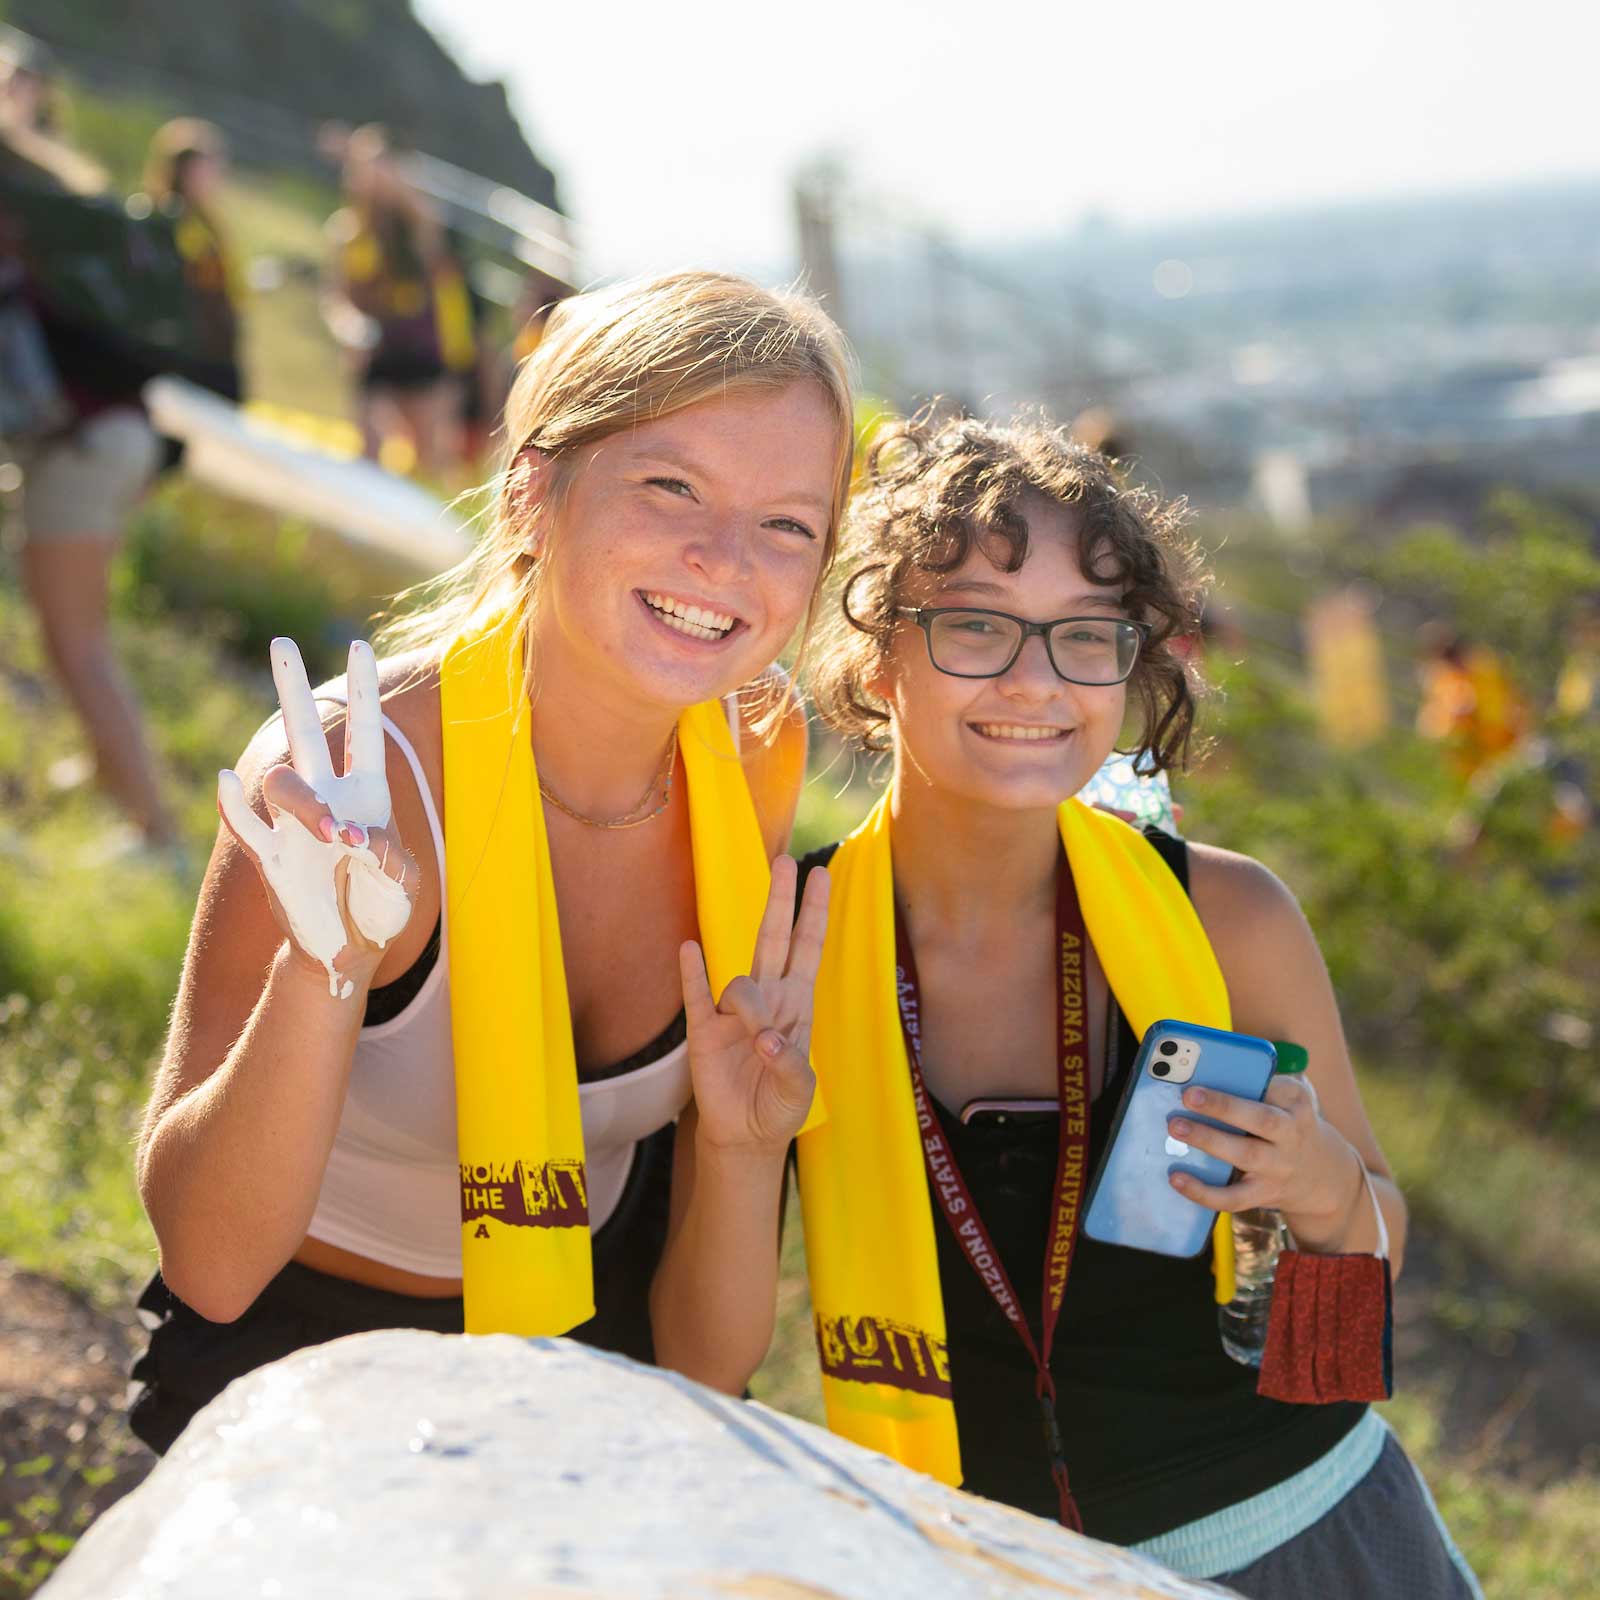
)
(1462, 930)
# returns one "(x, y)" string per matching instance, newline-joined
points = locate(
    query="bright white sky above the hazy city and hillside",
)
(676, 132)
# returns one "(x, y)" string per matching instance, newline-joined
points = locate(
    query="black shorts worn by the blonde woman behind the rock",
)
(191, 1361)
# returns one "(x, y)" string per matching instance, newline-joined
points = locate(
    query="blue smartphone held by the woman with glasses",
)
(1132, 1201)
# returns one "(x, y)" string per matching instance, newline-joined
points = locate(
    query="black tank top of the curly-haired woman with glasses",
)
(1161, 1425)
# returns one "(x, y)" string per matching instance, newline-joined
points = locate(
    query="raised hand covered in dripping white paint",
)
(340, 881)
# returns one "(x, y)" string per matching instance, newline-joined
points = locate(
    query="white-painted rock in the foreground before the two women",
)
(412, 1466)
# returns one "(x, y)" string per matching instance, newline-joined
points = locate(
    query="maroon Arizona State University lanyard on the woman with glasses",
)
(951, 1190)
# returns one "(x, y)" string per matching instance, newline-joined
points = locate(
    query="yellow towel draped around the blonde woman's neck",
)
(526, 1257)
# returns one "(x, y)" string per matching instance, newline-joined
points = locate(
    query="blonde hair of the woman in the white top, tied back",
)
(610, 361)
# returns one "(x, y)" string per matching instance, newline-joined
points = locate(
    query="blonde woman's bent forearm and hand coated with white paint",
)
(252, 1086)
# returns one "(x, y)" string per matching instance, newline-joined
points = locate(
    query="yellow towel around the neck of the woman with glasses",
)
(871, 1252)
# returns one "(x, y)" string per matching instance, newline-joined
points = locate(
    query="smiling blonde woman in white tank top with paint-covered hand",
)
(436, 1076)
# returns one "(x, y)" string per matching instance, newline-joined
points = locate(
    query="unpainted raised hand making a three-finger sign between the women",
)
(750, 1052)
